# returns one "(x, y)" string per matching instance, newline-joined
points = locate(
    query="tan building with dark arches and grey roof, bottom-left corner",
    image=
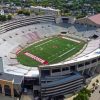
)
(11, 85)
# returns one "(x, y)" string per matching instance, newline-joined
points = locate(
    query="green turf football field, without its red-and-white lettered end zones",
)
(53, 50)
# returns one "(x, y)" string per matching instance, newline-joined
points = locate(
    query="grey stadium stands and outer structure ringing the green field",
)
(52, 80)
